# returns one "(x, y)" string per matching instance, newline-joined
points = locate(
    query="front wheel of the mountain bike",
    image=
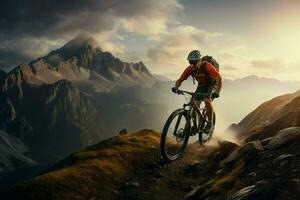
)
(175, 135)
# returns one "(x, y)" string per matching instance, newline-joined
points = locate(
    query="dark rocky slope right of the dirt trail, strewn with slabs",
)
(256, 172)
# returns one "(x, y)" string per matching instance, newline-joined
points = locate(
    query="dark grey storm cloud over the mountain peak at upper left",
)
(52, 20)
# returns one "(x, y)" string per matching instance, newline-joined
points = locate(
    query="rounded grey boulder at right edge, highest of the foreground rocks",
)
(284, 137)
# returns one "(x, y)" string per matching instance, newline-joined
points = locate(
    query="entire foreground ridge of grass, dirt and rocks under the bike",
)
(125, 167)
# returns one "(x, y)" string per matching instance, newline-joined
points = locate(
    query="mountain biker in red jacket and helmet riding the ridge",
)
(206, 79)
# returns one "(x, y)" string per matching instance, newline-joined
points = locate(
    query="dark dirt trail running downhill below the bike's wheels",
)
(174, 180)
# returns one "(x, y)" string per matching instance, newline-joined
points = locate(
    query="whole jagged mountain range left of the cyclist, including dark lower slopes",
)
(72, 98)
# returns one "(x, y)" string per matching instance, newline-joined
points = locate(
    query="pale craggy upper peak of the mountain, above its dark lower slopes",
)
(83, 62)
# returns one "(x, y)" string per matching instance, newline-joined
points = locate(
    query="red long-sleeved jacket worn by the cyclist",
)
(201, 77)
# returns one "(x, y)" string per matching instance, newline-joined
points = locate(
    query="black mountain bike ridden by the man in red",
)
(184, 122)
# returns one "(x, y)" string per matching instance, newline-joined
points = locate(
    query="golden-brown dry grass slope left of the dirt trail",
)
(93, 172)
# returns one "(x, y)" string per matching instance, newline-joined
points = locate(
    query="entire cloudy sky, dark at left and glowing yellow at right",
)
(260, 37)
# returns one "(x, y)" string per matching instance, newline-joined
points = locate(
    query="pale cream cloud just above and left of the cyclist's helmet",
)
(171, 51)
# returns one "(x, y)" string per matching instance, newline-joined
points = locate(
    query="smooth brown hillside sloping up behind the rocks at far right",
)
(270, 117)
